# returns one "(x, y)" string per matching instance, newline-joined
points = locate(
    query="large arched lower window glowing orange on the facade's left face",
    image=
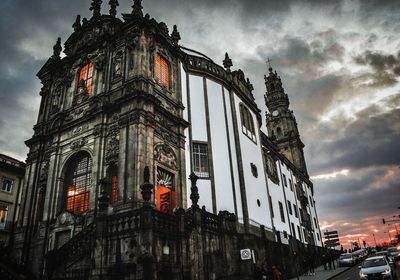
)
(78, 179)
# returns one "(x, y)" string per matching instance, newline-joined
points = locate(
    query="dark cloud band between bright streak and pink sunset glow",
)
(370, 191)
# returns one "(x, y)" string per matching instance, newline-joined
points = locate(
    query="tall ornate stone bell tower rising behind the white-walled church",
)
(281, 122)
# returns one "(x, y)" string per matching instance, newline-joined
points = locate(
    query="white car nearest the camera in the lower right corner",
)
(375, 268)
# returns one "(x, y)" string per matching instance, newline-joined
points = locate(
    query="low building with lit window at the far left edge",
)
(11, 181)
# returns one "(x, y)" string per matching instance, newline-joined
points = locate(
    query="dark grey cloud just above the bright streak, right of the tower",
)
(373, 139)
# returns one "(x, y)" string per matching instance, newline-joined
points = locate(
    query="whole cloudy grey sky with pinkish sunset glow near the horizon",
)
(339, 62)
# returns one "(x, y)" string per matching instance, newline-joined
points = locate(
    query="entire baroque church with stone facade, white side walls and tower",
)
(147, 162)
